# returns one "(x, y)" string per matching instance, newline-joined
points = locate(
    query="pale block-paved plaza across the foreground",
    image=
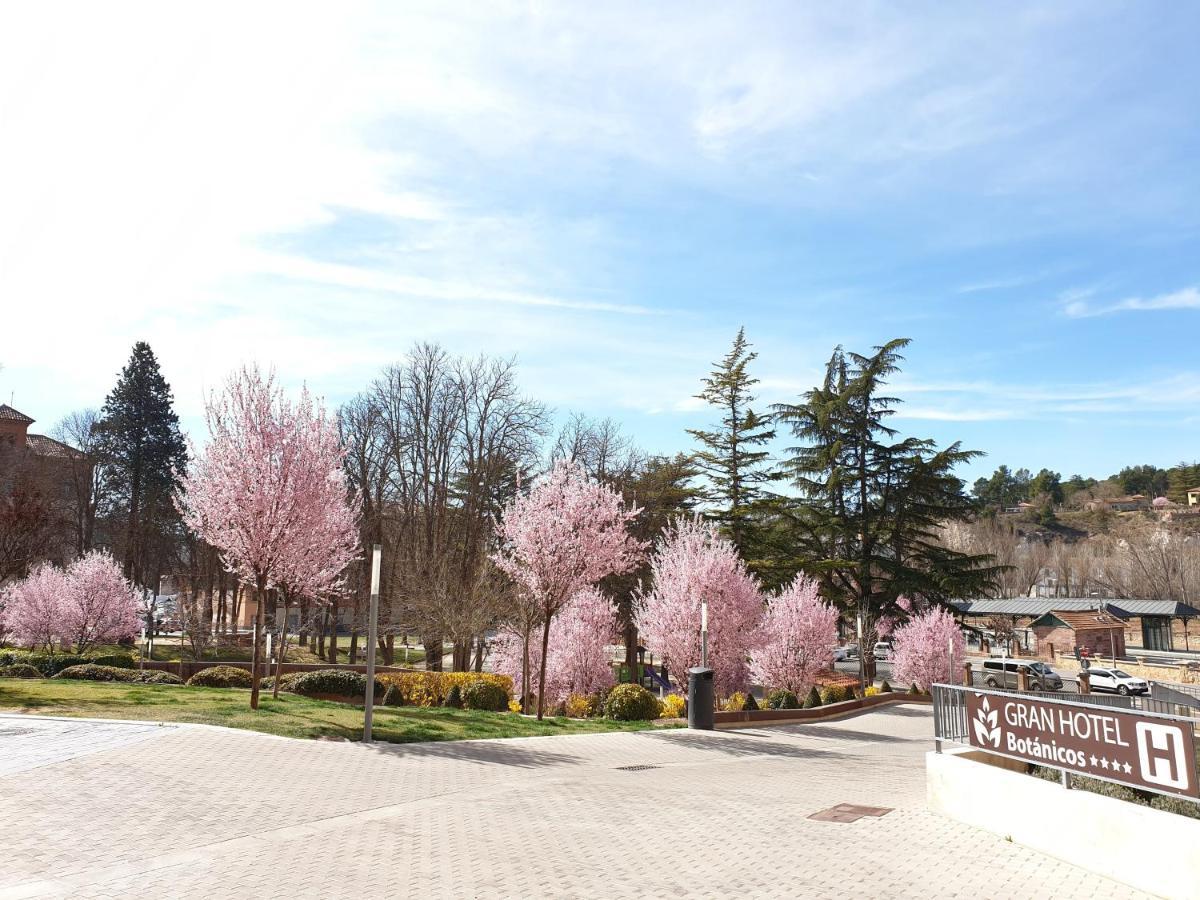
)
(92, 811)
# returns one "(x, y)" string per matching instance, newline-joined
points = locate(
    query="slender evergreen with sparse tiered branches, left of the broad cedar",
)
(733, 457)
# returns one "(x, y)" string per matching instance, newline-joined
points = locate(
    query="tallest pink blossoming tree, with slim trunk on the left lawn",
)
(262, 490)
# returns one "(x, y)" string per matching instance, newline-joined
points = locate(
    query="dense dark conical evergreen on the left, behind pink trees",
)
(143, 449)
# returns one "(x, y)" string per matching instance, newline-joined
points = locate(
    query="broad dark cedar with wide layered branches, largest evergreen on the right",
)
(872, 503)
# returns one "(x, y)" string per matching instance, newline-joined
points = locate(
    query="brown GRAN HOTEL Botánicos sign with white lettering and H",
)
(1135, 749)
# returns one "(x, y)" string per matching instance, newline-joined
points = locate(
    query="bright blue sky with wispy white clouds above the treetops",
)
(609, 194)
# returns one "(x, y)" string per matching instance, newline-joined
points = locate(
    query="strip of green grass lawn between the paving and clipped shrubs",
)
(290, 716)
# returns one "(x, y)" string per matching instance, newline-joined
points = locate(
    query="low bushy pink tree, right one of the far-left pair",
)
(100, 605)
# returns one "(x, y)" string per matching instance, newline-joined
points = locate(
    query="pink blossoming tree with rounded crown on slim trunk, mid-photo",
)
(568, 533)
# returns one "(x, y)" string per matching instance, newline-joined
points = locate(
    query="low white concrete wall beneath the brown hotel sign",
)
(1144, 848)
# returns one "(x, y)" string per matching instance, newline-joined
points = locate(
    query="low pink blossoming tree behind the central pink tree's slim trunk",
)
(579, 640)
